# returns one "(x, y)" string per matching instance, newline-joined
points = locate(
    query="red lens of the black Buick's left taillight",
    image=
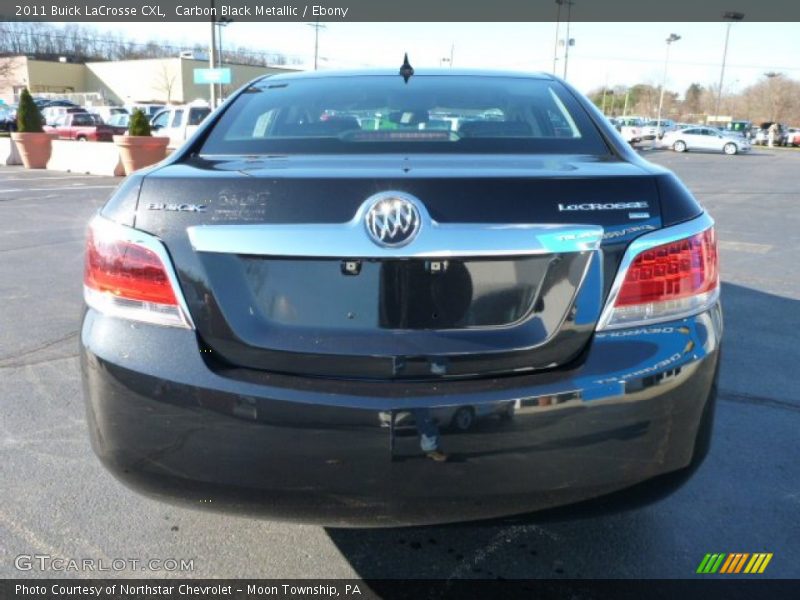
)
(127, 271)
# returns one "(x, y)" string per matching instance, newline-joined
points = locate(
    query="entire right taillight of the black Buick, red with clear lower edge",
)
(662, 281)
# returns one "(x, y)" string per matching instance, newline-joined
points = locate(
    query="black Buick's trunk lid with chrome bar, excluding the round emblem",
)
(505, 275)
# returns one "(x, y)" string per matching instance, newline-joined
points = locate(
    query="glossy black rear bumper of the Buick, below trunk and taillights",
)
(168, 425)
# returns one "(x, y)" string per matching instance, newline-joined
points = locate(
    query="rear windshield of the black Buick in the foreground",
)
(435, 113)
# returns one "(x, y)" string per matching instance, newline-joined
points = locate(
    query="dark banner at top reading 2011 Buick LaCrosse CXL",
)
(399, 10)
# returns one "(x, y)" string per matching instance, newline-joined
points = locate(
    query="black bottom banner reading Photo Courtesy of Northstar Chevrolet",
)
(347, 589)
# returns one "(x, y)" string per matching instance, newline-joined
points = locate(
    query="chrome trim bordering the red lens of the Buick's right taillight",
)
(645, 242)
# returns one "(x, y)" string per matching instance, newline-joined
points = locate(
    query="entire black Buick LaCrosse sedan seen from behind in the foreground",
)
(265, 305)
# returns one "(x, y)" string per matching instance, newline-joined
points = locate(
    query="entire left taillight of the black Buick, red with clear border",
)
(127, 274)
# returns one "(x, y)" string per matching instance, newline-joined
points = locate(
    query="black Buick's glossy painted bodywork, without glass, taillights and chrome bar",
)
(248, 414)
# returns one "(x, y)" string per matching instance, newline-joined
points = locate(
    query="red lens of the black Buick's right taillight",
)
(680, 269)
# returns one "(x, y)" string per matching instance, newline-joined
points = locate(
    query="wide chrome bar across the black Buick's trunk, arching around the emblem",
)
(434, 240)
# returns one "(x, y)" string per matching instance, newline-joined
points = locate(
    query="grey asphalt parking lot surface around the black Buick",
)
(58, 500)
